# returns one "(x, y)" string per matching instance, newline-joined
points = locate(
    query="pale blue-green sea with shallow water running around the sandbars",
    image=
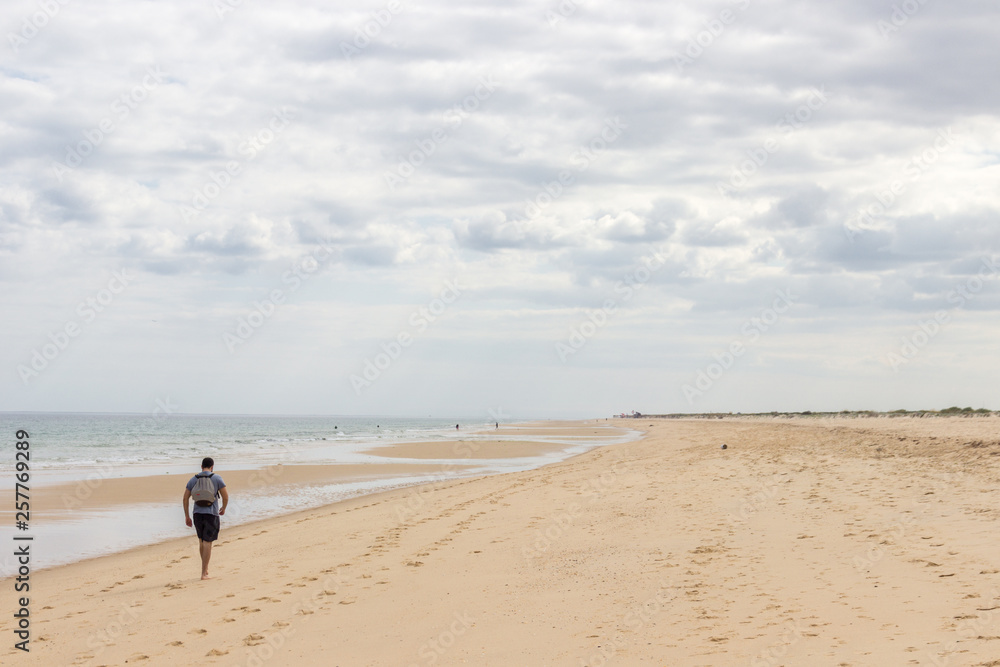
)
(85, 449)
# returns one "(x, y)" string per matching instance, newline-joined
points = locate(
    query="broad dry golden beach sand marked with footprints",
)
(807, 542)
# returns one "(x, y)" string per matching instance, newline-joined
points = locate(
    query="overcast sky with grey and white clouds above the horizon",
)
(524, 208)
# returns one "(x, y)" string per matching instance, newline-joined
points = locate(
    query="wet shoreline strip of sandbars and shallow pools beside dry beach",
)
(78, 513)
